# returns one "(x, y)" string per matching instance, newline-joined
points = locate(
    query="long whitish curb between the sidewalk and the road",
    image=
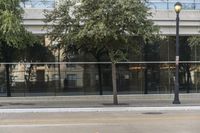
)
(105, 109)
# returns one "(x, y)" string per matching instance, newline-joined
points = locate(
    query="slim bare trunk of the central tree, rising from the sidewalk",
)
(114, 82)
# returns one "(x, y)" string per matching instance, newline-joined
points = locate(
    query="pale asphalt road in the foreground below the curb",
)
(101, 122)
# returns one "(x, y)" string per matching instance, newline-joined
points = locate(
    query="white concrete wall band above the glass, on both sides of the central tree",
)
(189, 21)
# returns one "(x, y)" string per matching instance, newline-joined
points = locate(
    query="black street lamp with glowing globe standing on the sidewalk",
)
(177, 8)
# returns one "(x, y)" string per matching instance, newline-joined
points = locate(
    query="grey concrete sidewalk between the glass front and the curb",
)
(94, 101)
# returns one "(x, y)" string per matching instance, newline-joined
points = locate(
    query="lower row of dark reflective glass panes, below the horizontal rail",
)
(92, 78)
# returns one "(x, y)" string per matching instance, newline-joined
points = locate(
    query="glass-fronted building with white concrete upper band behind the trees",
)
(151, 72)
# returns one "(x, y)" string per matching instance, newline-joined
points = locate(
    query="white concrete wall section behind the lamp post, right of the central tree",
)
(166, 20)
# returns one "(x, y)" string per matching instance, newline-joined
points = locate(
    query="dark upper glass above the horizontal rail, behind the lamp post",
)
(164, 50)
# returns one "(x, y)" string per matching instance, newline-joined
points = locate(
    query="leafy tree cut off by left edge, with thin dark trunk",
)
(12, 33)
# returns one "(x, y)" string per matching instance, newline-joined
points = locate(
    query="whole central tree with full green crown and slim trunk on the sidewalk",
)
(109, 26)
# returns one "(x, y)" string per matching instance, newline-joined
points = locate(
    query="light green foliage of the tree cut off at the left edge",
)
(11, 30)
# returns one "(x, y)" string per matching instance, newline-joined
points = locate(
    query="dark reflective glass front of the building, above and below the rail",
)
(152, 70)
